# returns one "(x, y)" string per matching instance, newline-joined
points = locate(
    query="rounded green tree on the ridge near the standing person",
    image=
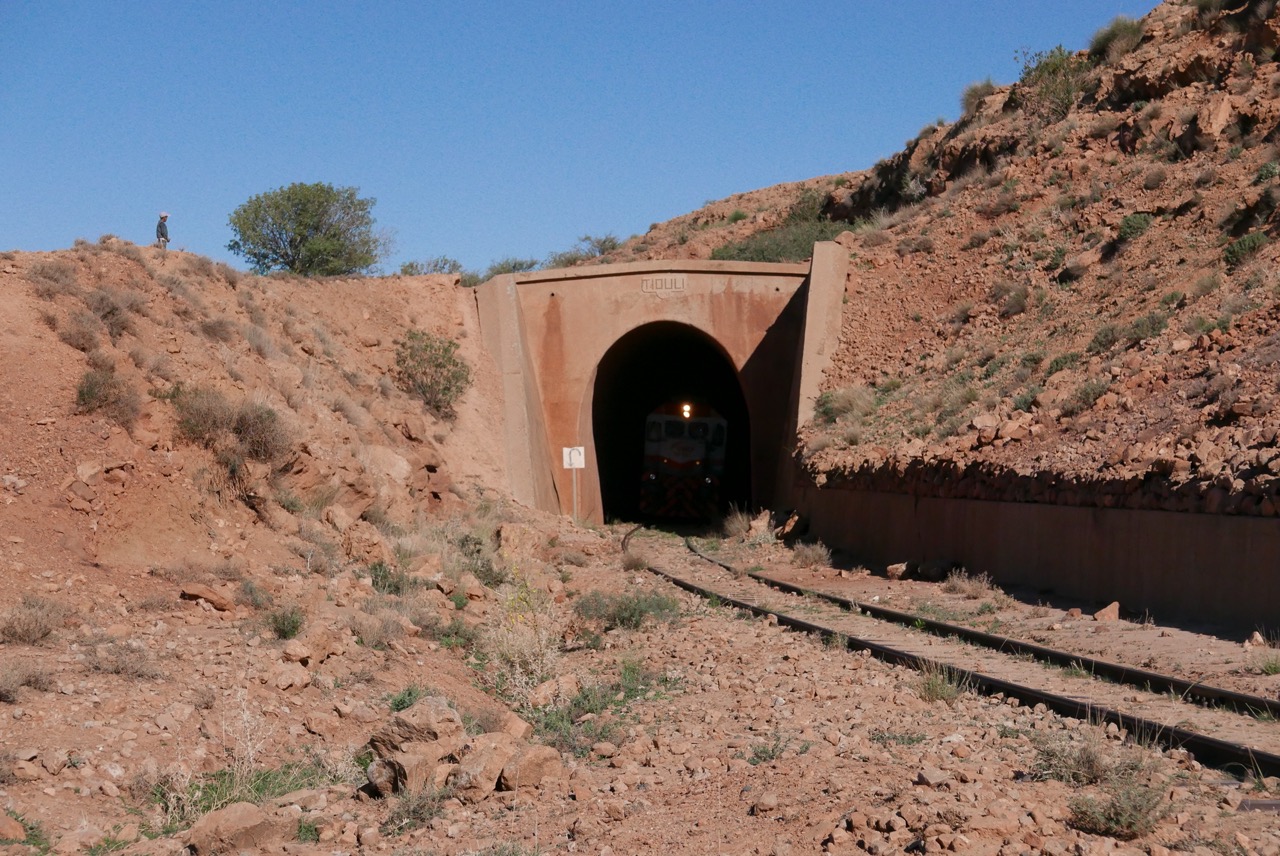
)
(310, 230)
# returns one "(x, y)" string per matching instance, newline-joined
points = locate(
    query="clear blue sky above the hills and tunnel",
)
(483, 130)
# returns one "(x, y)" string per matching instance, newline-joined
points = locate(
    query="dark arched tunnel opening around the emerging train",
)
(650, 368)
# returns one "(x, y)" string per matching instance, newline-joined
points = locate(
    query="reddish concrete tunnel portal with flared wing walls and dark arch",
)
(584, 355)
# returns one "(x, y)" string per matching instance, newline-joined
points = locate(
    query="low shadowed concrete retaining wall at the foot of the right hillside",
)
(1178, 567)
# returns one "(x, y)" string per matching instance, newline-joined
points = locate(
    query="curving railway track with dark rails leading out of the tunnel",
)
(1219, 727)
